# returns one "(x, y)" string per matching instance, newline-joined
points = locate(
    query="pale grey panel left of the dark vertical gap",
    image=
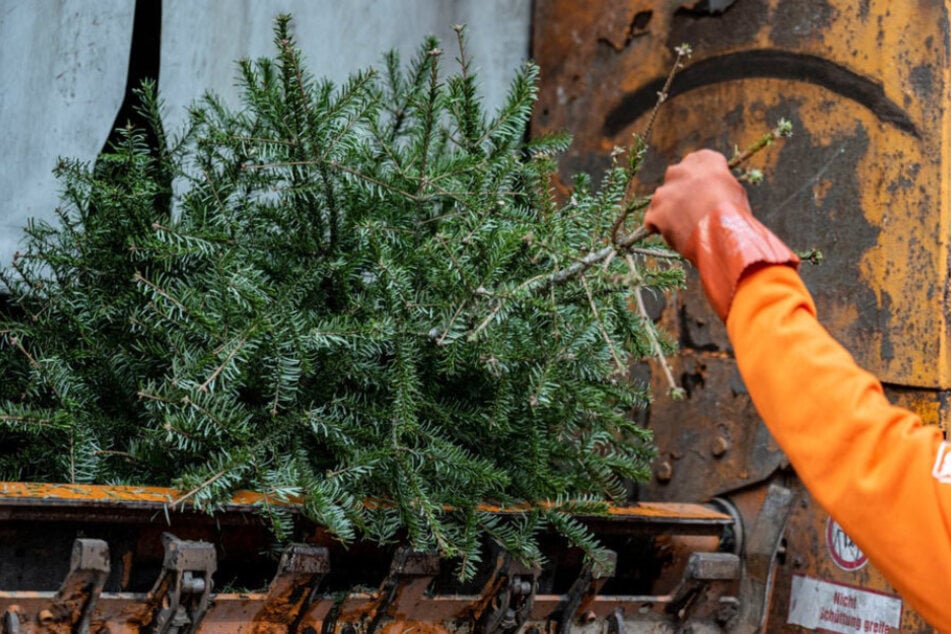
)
(62, 77)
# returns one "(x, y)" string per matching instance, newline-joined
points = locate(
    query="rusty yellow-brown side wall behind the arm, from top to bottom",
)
(865, 179)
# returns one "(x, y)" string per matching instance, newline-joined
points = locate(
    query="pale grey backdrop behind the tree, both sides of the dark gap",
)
(63, 67)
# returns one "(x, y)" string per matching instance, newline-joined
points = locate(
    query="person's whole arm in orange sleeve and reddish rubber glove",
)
(868, 463)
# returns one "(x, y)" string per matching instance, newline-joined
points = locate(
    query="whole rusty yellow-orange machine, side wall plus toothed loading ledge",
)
(725, 538)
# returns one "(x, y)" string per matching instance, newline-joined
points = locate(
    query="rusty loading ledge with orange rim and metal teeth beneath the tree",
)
(168, 568)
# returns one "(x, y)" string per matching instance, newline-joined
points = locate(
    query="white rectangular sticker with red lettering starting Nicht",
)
(833, 607)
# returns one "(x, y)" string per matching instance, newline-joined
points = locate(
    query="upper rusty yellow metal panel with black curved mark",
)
(863, 179)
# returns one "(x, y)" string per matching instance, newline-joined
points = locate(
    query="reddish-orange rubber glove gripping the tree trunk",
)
(703, 213)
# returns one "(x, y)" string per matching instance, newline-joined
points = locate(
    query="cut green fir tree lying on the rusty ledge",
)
(338, 304)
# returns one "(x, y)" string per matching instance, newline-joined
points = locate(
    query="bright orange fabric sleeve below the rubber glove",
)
(870, 464)
